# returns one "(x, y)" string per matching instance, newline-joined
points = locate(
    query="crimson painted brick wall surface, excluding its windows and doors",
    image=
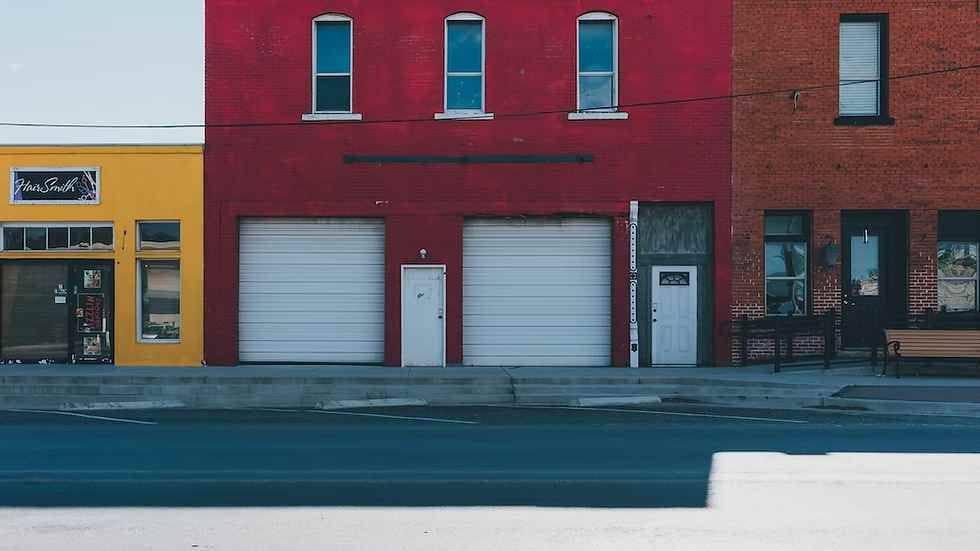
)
(258, 59)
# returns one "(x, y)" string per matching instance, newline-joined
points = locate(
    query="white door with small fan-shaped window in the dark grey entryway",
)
(675, 315)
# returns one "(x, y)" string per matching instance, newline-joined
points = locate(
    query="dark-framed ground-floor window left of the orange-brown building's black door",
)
(787, 263)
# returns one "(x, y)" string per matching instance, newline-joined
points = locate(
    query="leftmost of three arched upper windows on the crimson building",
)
(332, 64)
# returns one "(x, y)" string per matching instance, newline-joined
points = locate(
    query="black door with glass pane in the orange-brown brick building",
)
(874, 270)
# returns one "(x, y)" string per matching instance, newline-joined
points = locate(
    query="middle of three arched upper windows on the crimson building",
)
(465, 58)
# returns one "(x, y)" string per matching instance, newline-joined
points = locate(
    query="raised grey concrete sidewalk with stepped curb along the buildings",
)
(852, 387)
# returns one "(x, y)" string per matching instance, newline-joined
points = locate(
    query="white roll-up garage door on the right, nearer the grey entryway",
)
(536, 292)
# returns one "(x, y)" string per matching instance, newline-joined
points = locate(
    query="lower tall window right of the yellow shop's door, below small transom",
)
(159, 300)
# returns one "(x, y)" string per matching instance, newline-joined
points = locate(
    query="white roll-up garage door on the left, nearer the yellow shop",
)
(311, 290)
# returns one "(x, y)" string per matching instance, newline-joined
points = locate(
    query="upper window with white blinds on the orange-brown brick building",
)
(863, 91)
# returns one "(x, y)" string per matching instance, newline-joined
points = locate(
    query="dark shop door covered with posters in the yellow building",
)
(92, 308)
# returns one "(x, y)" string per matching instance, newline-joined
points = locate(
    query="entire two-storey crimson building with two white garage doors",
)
(450, 182)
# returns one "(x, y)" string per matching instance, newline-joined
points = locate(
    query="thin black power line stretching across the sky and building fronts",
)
(678, 101)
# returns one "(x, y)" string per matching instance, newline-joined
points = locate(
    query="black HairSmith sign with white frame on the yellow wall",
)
(52, 186)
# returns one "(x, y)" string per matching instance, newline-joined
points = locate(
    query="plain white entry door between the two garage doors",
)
(423, 316)
